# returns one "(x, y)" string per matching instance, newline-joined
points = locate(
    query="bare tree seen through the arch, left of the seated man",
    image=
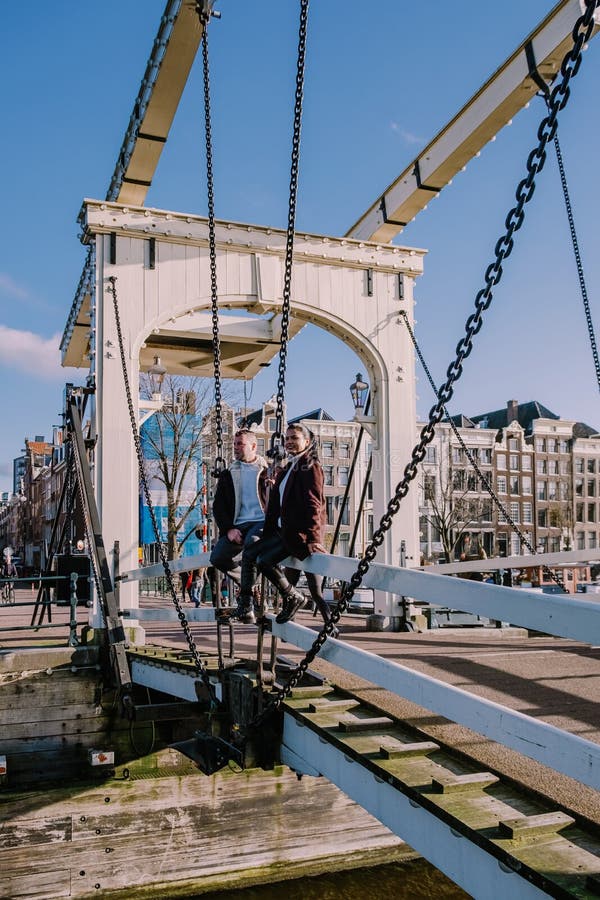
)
(172, 443)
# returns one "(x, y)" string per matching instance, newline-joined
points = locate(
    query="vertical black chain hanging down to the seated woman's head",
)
(277, 438)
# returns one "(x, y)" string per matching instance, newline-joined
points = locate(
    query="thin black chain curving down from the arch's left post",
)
(200, 667)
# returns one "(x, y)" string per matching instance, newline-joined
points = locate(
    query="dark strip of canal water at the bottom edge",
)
(414, 880)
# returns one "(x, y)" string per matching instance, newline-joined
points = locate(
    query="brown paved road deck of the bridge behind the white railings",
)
(551, 679)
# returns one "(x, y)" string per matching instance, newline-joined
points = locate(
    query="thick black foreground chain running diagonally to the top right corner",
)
(504, 246)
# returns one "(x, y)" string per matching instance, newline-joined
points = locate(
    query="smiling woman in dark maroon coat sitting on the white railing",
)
(294, 522)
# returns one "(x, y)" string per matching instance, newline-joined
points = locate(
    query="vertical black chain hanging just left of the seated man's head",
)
(219, 461)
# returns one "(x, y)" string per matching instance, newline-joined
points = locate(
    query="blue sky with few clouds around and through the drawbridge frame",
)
(380, 83)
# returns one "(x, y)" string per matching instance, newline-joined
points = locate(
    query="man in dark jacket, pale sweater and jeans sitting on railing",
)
(239, 511)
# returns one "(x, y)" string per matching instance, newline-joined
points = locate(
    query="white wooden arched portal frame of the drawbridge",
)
(352, 289)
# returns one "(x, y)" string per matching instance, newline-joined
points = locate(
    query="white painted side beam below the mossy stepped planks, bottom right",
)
(467, 864)
